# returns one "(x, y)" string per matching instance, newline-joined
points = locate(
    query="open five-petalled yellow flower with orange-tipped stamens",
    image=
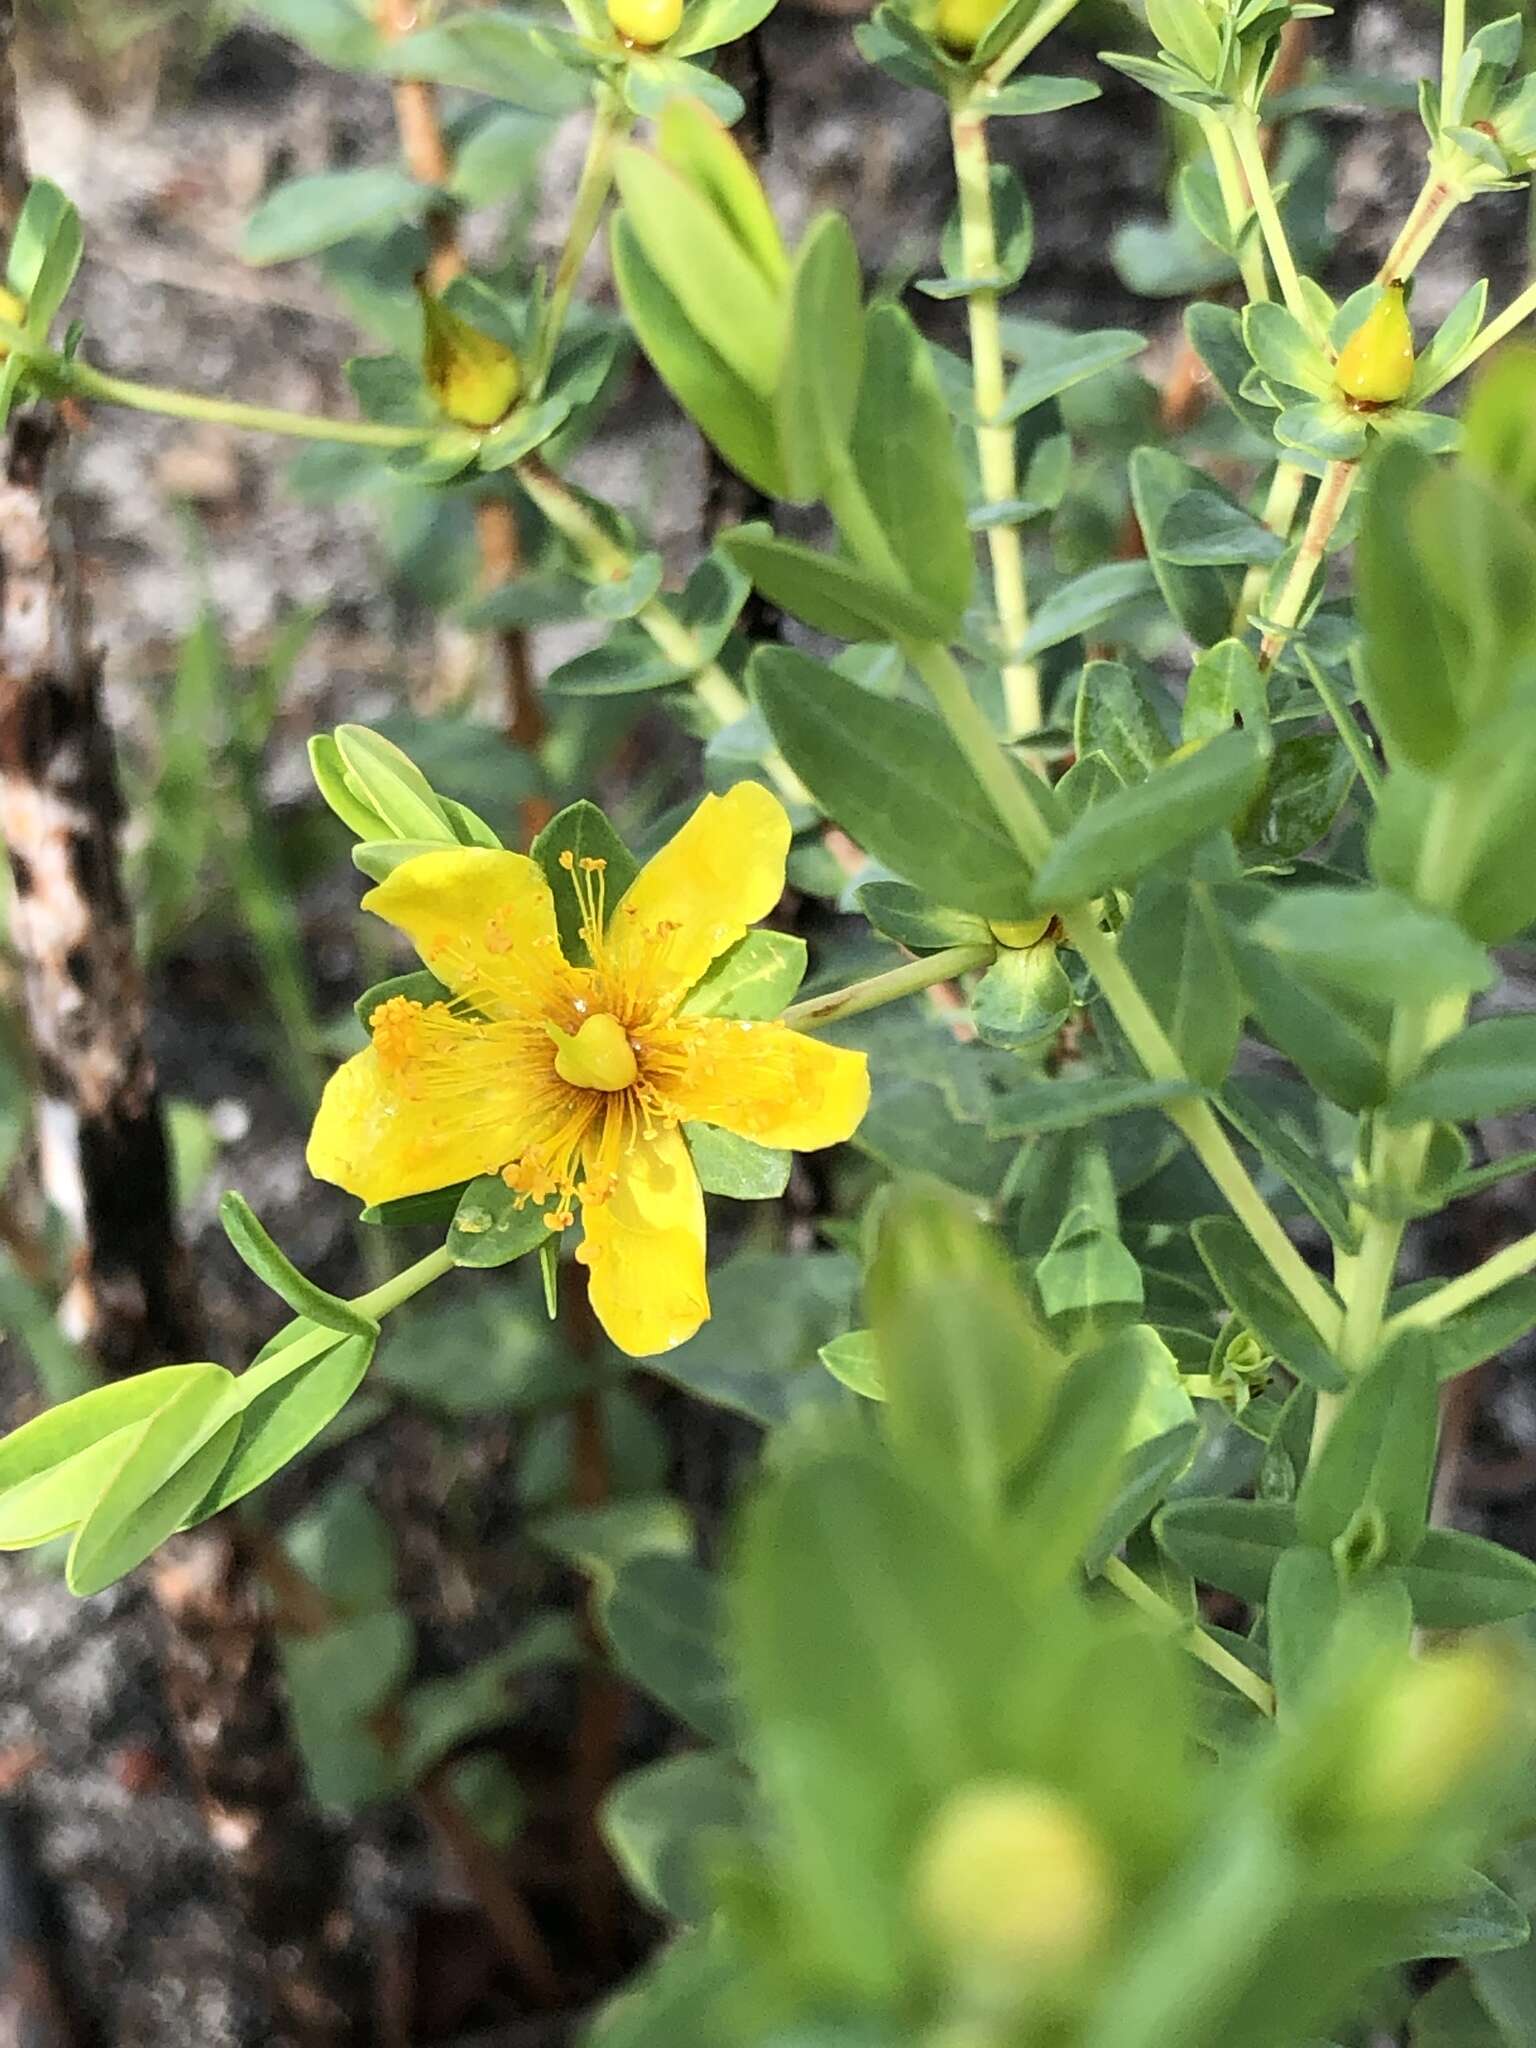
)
(570, 1082)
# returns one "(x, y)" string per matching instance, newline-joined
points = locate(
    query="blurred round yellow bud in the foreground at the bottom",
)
(1015, 1883)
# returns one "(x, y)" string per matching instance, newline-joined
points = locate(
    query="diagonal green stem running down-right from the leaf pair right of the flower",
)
(1199, 1123)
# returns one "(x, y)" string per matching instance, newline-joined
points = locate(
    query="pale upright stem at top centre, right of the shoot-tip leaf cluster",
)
(996, 443)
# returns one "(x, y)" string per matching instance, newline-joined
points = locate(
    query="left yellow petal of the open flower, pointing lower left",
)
(380, 1140)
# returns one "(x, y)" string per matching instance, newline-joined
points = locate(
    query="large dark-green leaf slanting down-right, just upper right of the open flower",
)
(892, 775)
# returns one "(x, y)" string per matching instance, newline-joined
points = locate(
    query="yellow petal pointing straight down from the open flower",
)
(646, 1250)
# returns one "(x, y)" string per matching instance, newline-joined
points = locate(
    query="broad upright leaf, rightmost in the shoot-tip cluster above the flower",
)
(910, 470)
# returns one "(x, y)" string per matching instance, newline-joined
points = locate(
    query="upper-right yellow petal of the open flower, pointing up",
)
(716, 878)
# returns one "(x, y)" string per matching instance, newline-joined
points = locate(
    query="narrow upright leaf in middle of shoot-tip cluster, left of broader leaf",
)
(824, 361)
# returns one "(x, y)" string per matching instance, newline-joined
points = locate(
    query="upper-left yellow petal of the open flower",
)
(482, 921)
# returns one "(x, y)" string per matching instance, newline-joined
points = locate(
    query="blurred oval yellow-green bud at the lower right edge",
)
(1439, 1727)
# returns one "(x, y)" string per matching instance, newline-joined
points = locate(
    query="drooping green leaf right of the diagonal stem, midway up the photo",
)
(1179, 951)
